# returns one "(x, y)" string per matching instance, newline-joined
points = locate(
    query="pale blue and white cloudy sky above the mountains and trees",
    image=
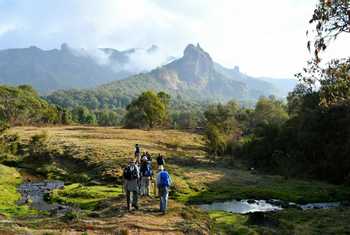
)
(264, 38)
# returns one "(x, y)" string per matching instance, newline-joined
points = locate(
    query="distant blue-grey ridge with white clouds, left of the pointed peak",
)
(65, 68)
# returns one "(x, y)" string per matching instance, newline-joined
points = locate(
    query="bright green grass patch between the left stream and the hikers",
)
(84, 197)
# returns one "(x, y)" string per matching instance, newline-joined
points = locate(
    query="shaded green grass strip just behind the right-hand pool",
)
(238, 184)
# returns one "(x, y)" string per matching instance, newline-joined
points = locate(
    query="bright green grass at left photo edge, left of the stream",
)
(9, 180)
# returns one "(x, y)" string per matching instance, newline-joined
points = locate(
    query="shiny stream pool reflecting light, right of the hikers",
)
(249, 206)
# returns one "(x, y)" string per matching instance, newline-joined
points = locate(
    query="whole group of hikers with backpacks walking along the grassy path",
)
(138, 177)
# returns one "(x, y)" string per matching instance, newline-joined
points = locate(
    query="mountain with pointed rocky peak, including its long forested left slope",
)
(193, 77)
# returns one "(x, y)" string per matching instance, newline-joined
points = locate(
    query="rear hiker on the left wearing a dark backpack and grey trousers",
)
(131, 176)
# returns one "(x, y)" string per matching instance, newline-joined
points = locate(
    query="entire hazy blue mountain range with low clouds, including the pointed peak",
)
(194, 76)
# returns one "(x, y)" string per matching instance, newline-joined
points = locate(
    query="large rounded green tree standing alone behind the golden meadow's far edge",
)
(149, 109)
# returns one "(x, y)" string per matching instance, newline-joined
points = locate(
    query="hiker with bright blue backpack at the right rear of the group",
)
(163, 184)
